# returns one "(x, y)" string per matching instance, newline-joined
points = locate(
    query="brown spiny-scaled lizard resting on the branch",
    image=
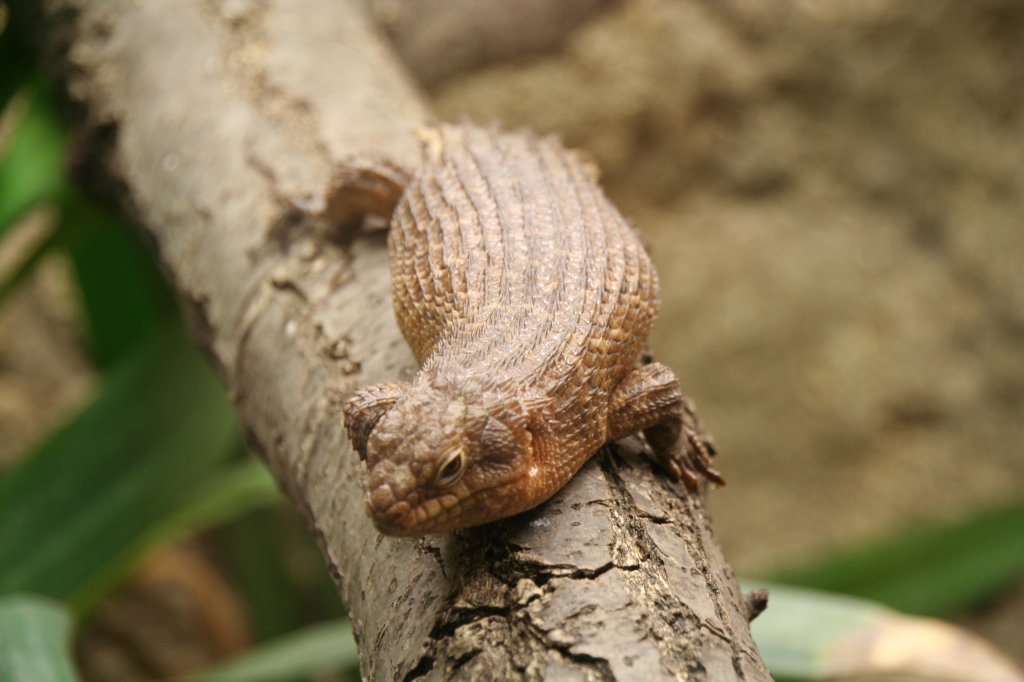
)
(527, 300)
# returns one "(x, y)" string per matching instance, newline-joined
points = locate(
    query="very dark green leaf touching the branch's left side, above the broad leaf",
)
(124, 296)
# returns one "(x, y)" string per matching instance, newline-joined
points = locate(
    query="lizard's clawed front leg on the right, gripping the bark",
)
(649, 400)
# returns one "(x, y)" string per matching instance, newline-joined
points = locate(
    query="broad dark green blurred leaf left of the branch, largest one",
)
(75, 510)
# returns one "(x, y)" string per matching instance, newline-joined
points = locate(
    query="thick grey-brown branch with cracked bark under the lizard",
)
(221, 125)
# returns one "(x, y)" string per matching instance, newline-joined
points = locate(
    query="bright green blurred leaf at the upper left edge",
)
(32, 166)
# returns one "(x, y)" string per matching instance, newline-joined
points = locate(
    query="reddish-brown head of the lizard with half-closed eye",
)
(450, 457)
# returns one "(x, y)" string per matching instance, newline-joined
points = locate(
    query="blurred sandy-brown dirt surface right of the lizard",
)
(833, 193)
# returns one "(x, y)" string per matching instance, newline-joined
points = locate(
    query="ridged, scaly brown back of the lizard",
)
(508, 263)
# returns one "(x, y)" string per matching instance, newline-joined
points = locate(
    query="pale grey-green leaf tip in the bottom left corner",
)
(35, 641)
